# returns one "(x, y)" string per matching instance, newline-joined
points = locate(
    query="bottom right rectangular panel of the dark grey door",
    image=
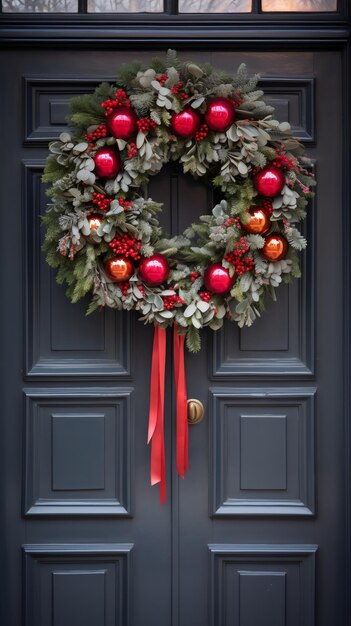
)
(266, 585)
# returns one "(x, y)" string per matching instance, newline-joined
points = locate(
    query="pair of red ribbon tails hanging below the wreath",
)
(156, 412)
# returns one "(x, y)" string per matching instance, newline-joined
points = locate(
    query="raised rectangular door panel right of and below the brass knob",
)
(262, 451)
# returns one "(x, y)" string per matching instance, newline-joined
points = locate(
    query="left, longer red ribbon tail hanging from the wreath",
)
(156, 413)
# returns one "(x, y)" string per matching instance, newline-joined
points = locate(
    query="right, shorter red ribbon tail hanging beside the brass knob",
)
(181, 403)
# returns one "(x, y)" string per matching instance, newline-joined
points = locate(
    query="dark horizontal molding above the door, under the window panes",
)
(159, 30)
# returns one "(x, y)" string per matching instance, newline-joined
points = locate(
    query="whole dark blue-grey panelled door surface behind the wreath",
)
(255, 534)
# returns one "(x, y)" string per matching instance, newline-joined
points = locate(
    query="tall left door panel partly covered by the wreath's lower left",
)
(60, 339)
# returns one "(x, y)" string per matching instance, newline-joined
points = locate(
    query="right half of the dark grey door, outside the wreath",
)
(269, 445)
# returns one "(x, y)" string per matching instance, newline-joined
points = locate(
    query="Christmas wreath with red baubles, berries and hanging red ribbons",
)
(103, 233)
